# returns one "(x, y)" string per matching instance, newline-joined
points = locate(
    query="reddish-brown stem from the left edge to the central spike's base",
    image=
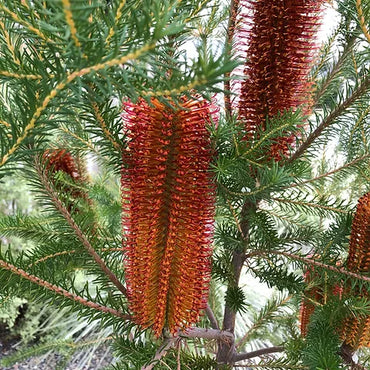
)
(45, 284)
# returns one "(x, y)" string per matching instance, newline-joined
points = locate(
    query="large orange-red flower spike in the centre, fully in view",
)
(168, 208)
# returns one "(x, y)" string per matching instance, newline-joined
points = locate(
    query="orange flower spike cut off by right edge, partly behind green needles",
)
(356, 331)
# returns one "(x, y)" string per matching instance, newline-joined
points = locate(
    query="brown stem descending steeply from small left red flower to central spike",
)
(80, 235)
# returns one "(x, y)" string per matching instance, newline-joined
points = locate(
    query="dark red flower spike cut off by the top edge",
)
(280, 38)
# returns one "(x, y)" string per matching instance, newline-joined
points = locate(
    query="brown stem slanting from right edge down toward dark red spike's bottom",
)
(329, 120)
